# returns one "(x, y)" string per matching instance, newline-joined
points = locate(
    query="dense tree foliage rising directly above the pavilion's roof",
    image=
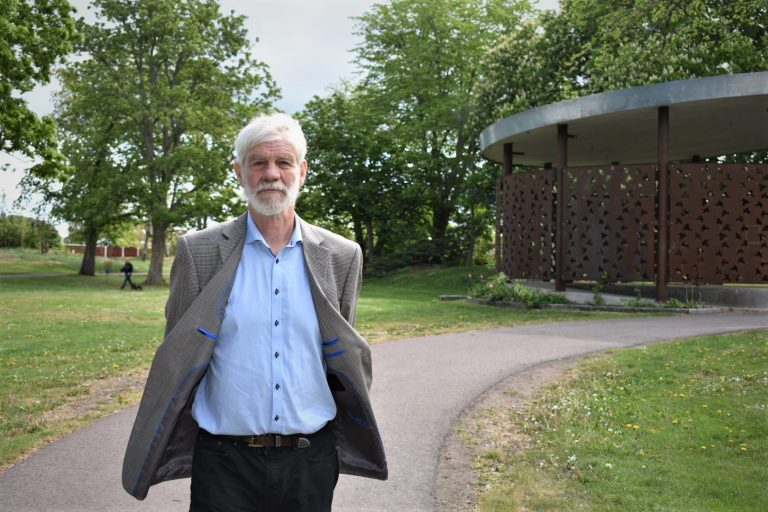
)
(592, 46)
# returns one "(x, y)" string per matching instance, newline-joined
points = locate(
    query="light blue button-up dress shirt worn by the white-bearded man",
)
(267, 373)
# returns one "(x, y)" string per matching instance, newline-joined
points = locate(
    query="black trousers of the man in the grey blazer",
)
(228, 476)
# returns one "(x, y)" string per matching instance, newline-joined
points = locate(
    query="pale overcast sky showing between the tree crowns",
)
(306, 44)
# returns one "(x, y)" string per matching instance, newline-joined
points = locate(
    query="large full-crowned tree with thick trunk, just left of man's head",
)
(183, 81)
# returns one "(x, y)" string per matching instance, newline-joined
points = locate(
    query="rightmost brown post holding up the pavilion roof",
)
(662, 251)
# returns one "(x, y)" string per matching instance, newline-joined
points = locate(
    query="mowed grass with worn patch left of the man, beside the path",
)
(64, 340)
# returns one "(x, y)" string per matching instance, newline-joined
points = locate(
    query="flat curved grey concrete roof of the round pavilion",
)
(708, 116)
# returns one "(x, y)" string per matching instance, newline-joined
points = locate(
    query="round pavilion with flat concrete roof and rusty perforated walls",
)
(630, 185)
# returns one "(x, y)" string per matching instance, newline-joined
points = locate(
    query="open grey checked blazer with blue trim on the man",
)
(164, 433)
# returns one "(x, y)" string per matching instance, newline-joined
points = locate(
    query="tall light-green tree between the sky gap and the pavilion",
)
(421, 60)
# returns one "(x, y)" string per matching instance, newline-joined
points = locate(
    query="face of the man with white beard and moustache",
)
(271, 176)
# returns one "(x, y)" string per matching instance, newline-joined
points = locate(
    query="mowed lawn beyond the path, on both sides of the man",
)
(74, 348)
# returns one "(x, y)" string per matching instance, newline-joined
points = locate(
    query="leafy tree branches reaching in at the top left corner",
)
(36, 35)
